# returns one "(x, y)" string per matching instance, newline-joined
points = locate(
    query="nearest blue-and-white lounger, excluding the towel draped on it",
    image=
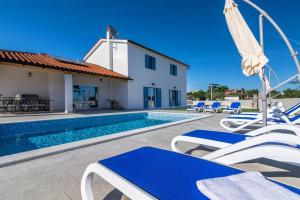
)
(151, 173)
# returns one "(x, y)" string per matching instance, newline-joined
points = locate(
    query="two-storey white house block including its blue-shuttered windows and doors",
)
(157, 81)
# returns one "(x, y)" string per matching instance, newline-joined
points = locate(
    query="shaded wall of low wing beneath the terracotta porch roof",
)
(50, 83)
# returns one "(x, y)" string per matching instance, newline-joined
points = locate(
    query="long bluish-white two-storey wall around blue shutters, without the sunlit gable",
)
(144, 77)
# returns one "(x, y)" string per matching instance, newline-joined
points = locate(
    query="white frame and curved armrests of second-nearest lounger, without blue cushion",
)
(249, 149)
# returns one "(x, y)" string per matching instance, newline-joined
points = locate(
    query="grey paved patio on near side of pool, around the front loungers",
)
(58, 176)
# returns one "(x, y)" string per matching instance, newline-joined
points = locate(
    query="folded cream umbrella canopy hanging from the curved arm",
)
(253, 57)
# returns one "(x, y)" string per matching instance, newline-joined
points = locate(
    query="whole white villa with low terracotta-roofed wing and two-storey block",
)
(135, 76)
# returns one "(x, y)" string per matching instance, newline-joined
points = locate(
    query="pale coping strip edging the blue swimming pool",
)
(48, 151)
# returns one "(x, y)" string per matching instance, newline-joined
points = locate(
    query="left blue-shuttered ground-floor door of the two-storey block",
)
(152, 97)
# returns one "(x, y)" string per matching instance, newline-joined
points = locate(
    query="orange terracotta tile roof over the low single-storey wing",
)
(47, 61)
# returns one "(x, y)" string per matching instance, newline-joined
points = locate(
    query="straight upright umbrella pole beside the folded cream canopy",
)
(264, 87)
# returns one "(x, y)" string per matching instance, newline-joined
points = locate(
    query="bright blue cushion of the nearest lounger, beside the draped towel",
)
(168, 175)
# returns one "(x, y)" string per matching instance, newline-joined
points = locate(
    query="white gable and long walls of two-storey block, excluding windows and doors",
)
(129, 59)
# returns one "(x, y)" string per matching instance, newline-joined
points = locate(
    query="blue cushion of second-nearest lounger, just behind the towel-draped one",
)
(217, 136)
